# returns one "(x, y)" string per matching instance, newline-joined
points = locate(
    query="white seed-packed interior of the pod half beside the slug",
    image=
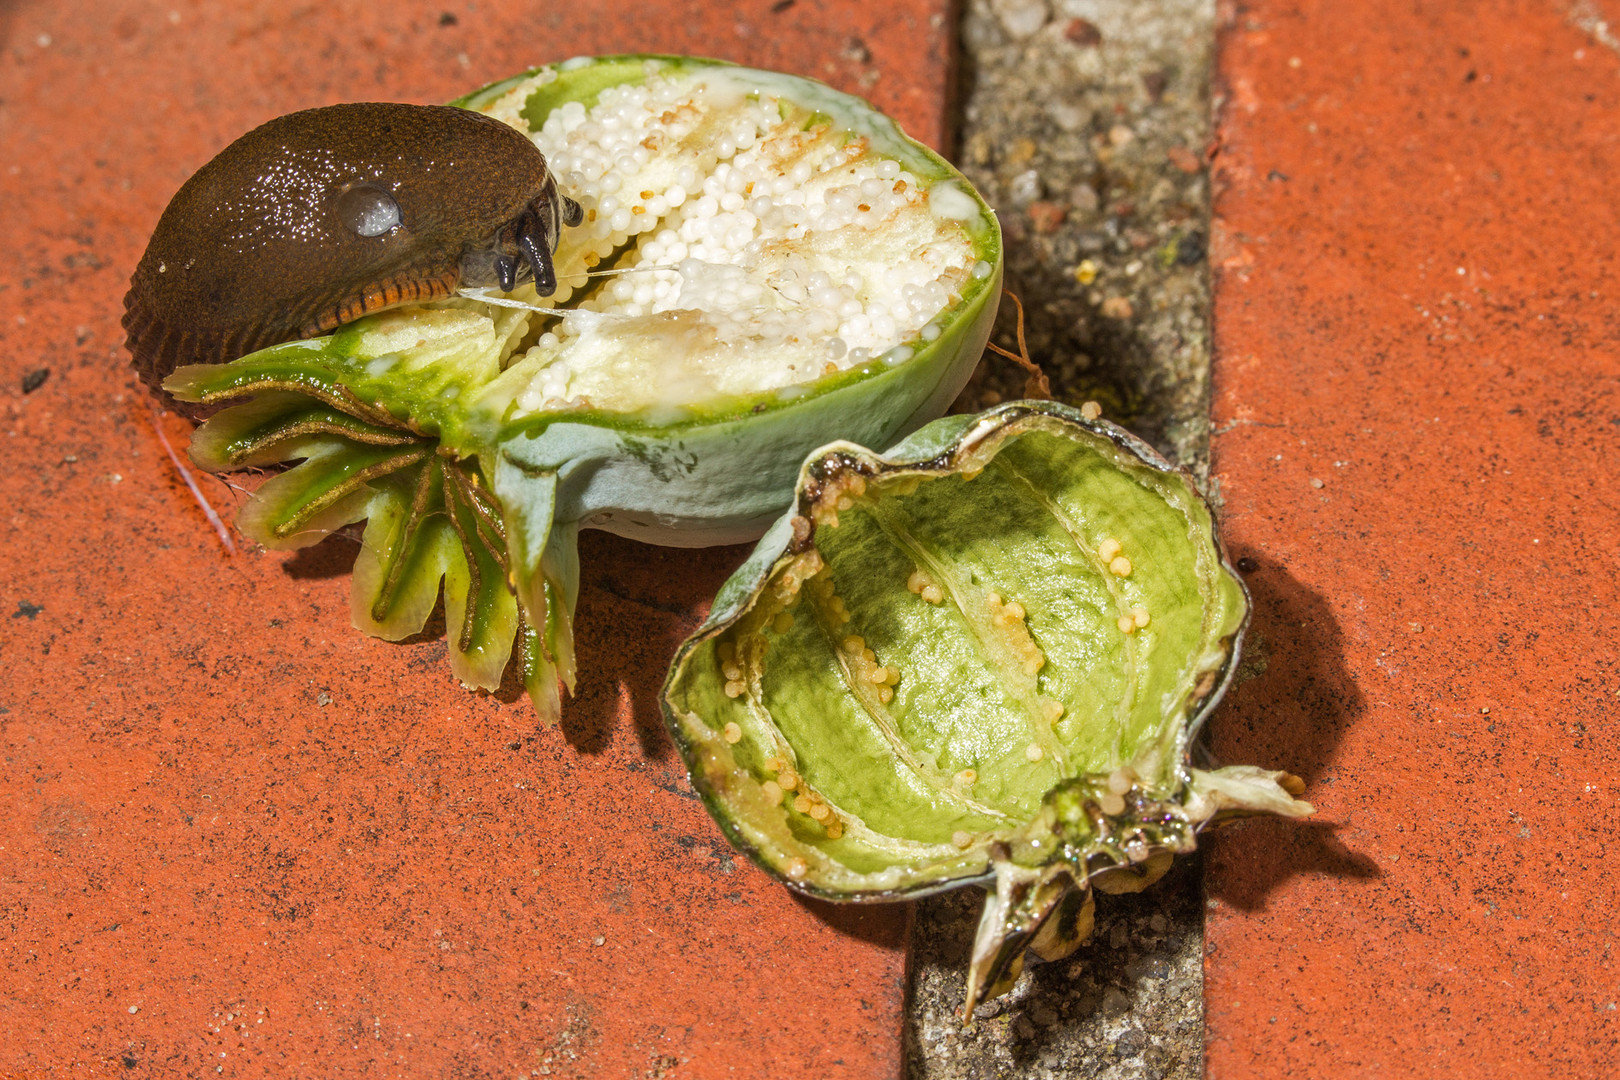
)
(788, 250)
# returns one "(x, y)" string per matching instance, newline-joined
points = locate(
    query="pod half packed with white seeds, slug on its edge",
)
(765, 265)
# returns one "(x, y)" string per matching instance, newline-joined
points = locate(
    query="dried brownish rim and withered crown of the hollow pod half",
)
(1117, 828)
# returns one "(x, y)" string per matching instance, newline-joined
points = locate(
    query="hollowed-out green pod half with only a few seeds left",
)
(978, 658)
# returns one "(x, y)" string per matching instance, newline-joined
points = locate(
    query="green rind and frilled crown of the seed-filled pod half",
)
(706, 475)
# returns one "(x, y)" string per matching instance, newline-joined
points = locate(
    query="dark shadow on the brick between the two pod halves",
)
(637, 605)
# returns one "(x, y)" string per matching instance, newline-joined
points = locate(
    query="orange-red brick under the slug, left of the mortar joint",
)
(237, 838)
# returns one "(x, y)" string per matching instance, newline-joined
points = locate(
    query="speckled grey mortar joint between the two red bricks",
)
(1085, 122)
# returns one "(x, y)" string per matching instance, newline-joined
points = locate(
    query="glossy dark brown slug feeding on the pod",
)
(323, 216)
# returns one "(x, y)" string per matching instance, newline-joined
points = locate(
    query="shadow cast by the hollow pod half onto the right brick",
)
(1292, 704)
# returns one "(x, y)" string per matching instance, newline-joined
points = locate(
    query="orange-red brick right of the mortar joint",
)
(1418, 401)
